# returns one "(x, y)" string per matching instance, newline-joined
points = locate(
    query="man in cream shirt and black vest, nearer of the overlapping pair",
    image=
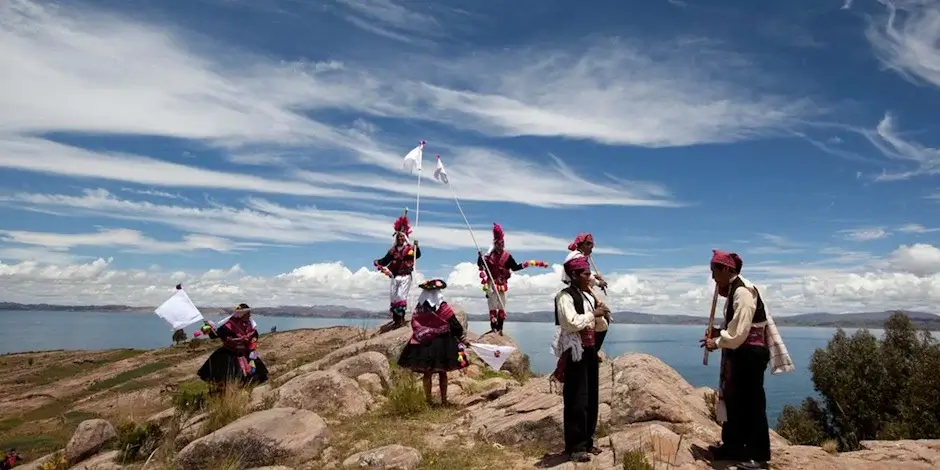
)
(576, 313)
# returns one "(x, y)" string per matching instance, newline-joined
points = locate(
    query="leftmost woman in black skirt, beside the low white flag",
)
(237, 361)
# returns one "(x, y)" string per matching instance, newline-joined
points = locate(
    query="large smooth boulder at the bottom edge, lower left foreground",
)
(264, 438)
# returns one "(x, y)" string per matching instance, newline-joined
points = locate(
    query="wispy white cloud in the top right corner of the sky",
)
(907, 40)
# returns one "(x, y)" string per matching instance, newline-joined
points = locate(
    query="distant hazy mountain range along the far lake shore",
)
(830, 320)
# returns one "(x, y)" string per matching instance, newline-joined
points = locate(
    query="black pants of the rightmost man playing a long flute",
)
(745, 435)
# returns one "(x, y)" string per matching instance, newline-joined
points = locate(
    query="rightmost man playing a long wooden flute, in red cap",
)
(745, 355)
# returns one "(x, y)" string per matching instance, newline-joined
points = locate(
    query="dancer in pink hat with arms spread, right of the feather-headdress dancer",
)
(500, 265)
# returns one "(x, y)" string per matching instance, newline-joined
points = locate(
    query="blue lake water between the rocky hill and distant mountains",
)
(675, 345)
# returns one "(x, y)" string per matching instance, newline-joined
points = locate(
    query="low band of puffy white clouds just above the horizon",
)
(787, 289)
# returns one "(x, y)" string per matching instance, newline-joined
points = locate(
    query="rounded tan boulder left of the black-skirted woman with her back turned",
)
(327, 392)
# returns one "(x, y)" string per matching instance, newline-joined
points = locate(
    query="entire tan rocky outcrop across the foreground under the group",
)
(647, 410)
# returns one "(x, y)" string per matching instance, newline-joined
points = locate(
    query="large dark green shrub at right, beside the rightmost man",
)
(870, 389)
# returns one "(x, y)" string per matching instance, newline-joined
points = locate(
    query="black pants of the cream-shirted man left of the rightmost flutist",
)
(580, 394)
